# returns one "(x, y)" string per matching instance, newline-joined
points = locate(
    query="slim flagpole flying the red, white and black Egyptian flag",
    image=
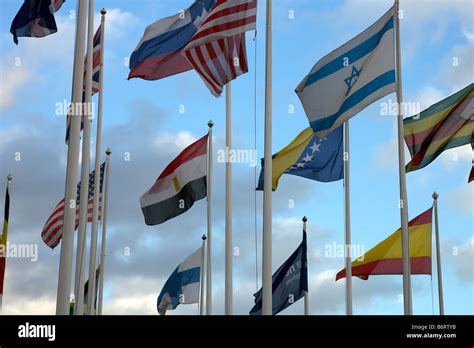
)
(209, 223)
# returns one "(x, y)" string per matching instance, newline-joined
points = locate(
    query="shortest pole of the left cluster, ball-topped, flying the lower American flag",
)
(105, 206)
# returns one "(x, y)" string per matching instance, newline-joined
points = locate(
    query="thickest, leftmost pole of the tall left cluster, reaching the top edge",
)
(67, 243)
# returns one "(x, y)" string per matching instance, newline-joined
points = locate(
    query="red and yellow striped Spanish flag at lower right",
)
(386, 257)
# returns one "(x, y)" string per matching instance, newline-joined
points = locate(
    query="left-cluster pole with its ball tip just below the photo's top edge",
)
(95, 209)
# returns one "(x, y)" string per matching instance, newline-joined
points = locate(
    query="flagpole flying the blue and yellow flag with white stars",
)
(347, 216)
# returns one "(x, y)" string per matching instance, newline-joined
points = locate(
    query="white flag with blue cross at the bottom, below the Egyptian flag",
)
(183, 284)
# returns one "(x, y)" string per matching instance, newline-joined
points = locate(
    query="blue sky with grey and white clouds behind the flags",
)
(147, 123)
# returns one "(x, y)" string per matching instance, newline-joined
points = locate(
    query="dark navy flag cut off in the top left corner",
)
(35, 19)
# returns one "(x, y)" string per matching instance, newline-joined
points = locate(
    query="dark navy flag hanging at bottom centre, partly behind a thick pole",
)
(289, 282)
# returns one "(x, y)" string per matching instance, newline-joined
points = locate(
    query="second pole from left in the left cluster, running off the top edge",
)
(85, 167)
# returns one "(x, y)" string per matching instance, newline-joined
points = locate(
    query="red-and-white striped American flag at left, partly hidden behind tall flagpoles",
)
(53, 228)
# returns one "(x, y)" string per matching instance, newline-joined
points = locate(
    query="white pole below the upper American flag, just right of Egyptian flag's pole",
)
(228, 205)
